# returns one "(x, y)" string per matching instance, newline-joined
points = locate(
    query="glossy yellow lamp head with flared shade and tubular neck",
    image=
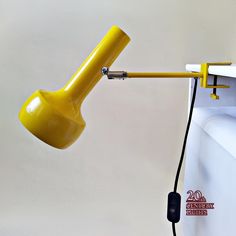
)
(55, 117)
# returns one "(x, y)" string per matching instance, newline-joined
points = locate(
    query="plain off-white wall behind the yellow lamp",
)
(115, 179)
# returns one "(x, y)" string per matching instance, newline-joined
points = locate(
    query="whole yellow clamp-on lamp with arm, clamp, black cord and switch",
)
(55, 117)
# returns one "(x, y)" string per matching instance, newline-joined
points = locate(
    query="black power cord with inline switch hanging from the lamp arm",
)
(174, 198)
